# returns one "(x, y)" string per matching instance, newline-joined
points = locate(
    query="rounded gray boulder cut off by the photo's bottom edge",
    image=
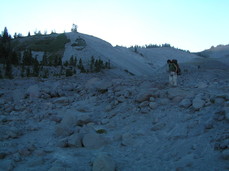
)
(103, 163)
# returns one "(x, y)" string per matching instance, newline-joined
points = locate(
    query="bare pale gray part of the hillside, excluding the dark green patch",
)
(143, 63)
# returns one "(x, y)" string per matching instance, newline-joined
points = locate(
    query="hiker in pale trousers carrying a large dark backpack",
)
(172, 69)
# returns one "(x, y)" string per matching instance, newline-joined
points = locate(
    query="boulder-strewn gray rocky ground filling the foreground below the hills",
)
(107, 122)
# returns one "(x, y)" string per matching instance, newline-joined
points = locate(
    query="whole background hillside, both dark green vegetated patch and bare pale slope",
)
(81, 46)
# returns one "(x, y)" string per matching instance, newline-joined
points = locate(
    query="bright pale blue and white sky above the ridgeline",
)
(193, 25)
